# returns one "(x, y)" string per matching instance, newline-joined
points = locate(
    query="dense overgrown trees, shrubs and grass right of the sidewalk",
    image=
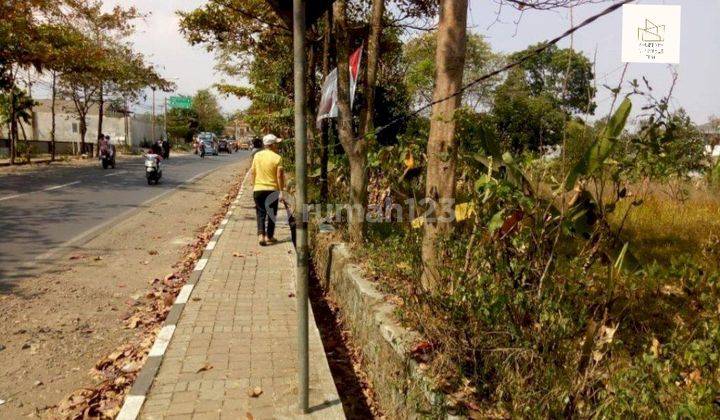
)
(580, 275)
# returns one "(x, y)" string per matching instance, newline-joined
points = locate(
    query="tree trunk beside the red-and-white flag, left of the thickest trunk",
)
(355, 149)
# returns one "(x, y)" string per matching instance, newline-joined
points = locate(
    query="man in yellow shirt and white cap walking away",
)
(268, 181)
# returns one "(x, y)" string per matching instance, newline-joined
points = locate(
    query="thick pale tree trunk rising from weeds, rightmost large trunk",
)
(441, 148)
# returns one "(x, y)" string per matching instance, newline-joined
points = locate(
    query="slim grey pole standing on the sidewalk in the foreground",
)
(300, 196)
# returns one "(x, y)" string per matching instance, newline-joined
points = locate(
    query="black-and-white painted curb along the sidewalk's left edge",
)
(137, 394)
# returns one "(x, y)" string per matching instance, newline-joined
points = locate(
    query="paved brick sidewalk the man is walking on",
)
(238, 332)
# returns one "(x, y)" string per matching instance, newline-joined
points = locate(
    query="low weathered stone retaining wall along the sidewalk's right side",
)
(403, 391)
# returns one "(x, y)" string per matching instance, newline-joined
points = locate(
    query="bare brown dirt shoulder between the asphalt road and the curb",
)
(57, 325)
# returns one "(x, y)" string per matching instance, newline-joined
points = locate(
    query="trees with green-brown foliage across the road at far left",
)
(80, 51)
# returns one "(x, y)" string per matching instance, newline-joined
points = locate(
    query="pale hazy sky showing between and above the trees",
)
(697, 90)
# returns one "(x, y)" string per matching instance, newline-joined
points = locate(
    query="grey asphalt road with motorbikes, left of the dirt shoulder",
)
(44, 213)
